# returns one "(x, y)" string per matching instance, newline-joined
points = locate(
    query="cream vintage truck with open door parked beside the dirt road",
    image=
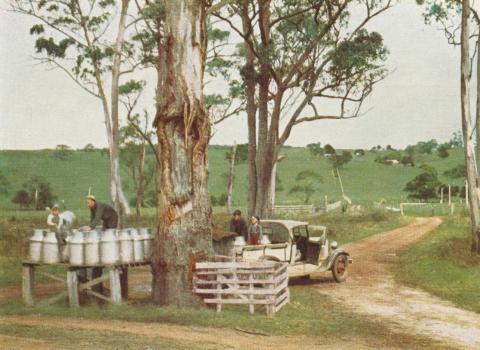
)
(290, 241)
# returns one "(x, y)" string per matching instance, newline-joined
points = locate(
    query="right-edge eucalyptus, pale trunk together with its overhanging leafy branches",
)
(460, 21)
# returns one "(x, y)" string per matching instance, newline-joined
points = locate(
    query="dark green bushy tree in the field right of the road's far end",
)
(425, 185)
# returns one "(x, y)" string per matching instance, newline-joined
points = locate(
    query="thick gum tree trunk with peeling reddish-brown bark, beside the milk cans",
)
(184, 211)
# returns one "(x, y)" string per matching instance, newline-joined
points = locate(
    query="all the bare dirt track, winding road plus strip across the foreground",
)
(370, 290)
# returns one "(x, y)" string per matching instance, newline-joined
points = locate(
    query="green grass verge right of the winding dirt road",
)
(441, 264)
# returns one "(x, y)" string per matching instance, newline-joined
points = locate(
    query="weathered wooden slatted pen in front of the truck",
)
(245, 283)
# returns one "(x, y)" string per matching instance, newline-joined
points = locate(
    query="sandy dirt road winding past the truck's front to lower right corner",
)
(371, 290)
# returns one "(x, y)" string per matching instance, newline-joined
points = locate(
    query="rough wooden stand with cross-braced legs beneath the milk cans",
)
(77, 283)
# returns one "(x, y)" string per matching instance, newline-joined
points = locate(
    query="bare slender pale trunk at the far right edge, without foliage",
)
(467, 129)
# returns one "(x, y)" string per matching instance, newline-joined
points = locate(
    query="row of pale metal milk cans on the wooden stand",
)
(92, 248)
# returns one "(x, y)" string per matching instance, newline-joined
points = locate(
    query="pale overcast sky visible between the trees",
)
(419, 100)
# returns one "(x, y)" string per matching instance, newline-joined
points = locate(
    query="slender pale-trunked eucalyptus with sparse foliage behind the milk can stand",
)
(86, 40)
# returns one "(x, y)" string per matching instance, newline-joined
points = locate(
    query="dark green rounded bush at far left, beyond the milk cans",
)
(37, 193)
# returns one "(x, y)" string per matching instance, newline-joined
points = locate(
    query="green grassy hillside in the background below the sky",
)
(363, 179)
